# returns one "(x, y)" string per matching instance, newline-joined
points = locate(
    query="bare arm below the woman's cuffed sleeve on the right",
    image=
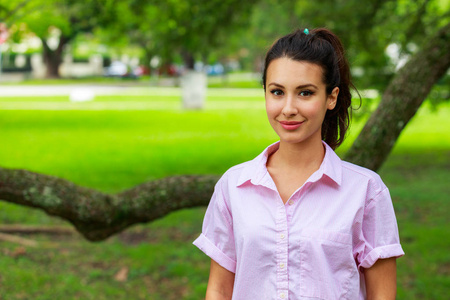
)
(381, 280)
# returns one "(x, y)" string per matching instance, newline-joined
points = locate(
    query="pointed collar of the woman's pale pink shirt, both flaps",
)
(256, 171)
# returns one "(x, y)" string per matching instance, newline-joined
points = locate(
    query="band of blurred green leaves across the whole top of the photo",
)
(181, 30)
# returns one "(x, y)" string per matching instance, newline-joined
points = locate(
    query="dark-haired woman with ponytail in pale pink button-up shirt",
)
(296, 222)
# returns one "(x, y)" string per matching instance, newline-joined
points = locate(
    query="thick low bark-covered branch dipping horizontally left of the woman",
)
(97, 215)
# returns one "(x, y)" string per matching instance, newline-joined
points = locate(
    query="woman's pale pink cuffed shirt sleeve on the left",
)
(217, 238)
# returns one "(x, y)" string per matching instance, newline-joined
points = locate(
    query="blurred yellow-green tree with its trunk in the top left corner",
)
(57, 22)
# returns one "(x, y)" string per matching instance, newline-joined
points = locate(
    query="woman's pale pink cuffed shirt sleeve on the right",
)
(379, 236)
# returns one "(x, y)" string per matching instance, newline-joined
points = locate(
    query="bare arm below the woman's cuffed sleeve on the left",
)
(220, 284)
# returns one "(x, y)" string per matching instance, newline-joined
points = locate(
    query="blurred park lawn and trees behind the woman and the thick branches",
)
(112, 93)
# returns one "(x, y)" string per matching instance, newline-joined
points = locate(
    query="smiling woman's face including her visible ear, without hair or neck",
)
(296, 100)
